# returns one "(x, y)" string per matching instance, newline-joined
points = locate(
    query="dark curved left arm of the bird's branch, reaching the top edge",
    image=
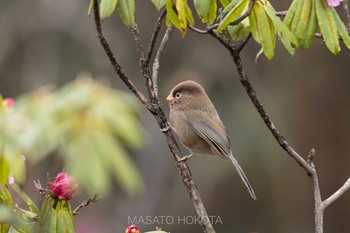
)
(116, 66)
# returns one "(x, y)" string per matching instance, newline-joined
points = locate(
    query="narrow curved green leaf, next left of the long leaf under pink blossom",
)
(310, 31)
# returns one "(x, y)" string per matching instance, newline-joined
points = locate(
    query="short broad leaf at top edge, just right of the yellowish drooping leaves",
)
(206, 10)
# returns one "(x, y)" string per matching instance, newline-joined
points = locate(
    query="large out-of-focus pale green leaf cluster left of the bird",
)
(86, 122)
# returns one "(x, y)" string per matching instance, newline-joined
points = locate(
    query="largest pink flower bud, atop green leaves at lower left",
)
(63, 187)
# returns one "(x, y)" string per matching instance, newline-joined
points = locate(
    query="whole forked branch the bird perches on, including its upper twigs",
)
(153, 104)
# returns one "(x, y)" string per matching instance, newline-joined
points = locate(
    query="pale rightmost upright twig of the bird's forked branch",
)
(156, 62)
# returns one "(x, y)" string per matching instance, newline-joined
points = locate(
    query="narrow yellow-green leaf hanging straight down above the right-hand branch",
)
(266, 33)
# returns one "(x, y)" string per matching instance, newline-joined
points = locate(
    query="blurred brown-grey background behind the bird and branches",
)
(51, 42)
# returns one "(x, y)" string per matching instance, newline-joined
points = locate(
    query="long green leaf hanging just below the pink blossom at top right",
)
(328, 26)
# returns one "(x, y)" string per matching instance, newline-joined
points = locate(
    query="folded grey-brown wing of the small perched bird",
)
(213, 132)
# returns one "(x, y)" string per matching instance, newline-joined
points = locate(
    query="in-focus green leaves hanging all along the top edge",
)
(297, 29)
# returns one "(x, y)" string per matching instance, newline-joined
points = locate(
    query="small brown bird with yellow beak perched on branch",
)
(198, 125)
